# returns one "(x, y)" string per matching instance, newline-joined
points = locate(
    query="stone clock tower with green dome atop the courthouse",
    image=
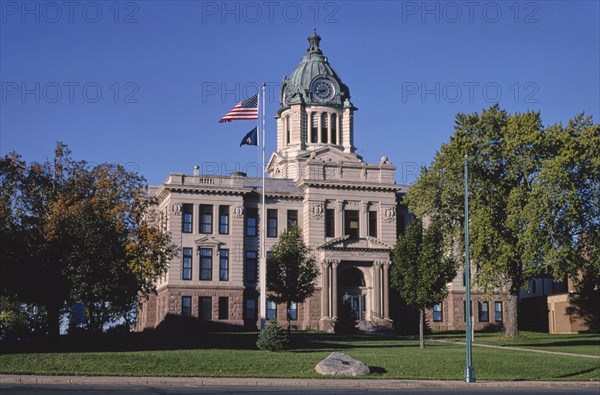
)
(315, 116)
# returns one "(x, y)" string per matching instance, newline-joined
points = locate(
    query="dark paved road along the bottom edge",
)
(72, 389)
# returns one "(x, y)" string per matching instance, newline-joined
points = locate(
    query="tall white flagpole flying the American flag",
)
(263, 254)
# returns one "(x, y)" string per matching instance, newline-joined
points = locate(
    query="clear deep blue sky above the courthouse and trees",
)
(144, 83)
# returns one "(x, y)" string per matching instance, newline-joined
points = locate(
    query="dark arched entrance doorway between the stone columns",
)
(352, 290)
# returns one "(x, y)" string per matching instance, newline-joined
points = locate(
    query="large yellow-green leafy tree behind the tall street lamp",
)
(533, 198)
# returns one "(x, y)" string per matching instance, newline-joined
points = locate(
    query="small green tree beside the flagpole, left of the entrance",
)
(291, 271)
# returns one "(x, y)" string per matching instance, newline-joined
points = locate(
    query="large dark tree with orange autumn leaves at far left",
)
(72, 232)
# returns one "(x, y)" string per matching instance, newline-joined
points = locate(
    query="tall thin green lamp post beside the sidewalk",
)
(469, 376)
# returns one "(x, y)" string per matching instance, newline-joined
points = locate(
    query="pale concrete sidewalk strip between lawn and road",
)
(256, 382)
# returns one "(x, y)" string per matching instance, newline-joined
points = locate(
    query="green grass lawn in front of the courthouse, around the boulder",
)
(387, 357)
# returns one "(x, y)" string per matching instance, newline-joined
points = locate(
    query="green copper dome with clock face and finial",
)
(314, 69)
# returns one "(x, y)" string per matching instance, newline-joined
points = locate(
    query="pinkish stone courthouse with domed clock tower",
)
(348, 211)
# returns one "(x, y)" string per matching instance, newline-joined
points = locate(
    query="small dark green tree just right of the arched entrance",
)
(422, 268)
